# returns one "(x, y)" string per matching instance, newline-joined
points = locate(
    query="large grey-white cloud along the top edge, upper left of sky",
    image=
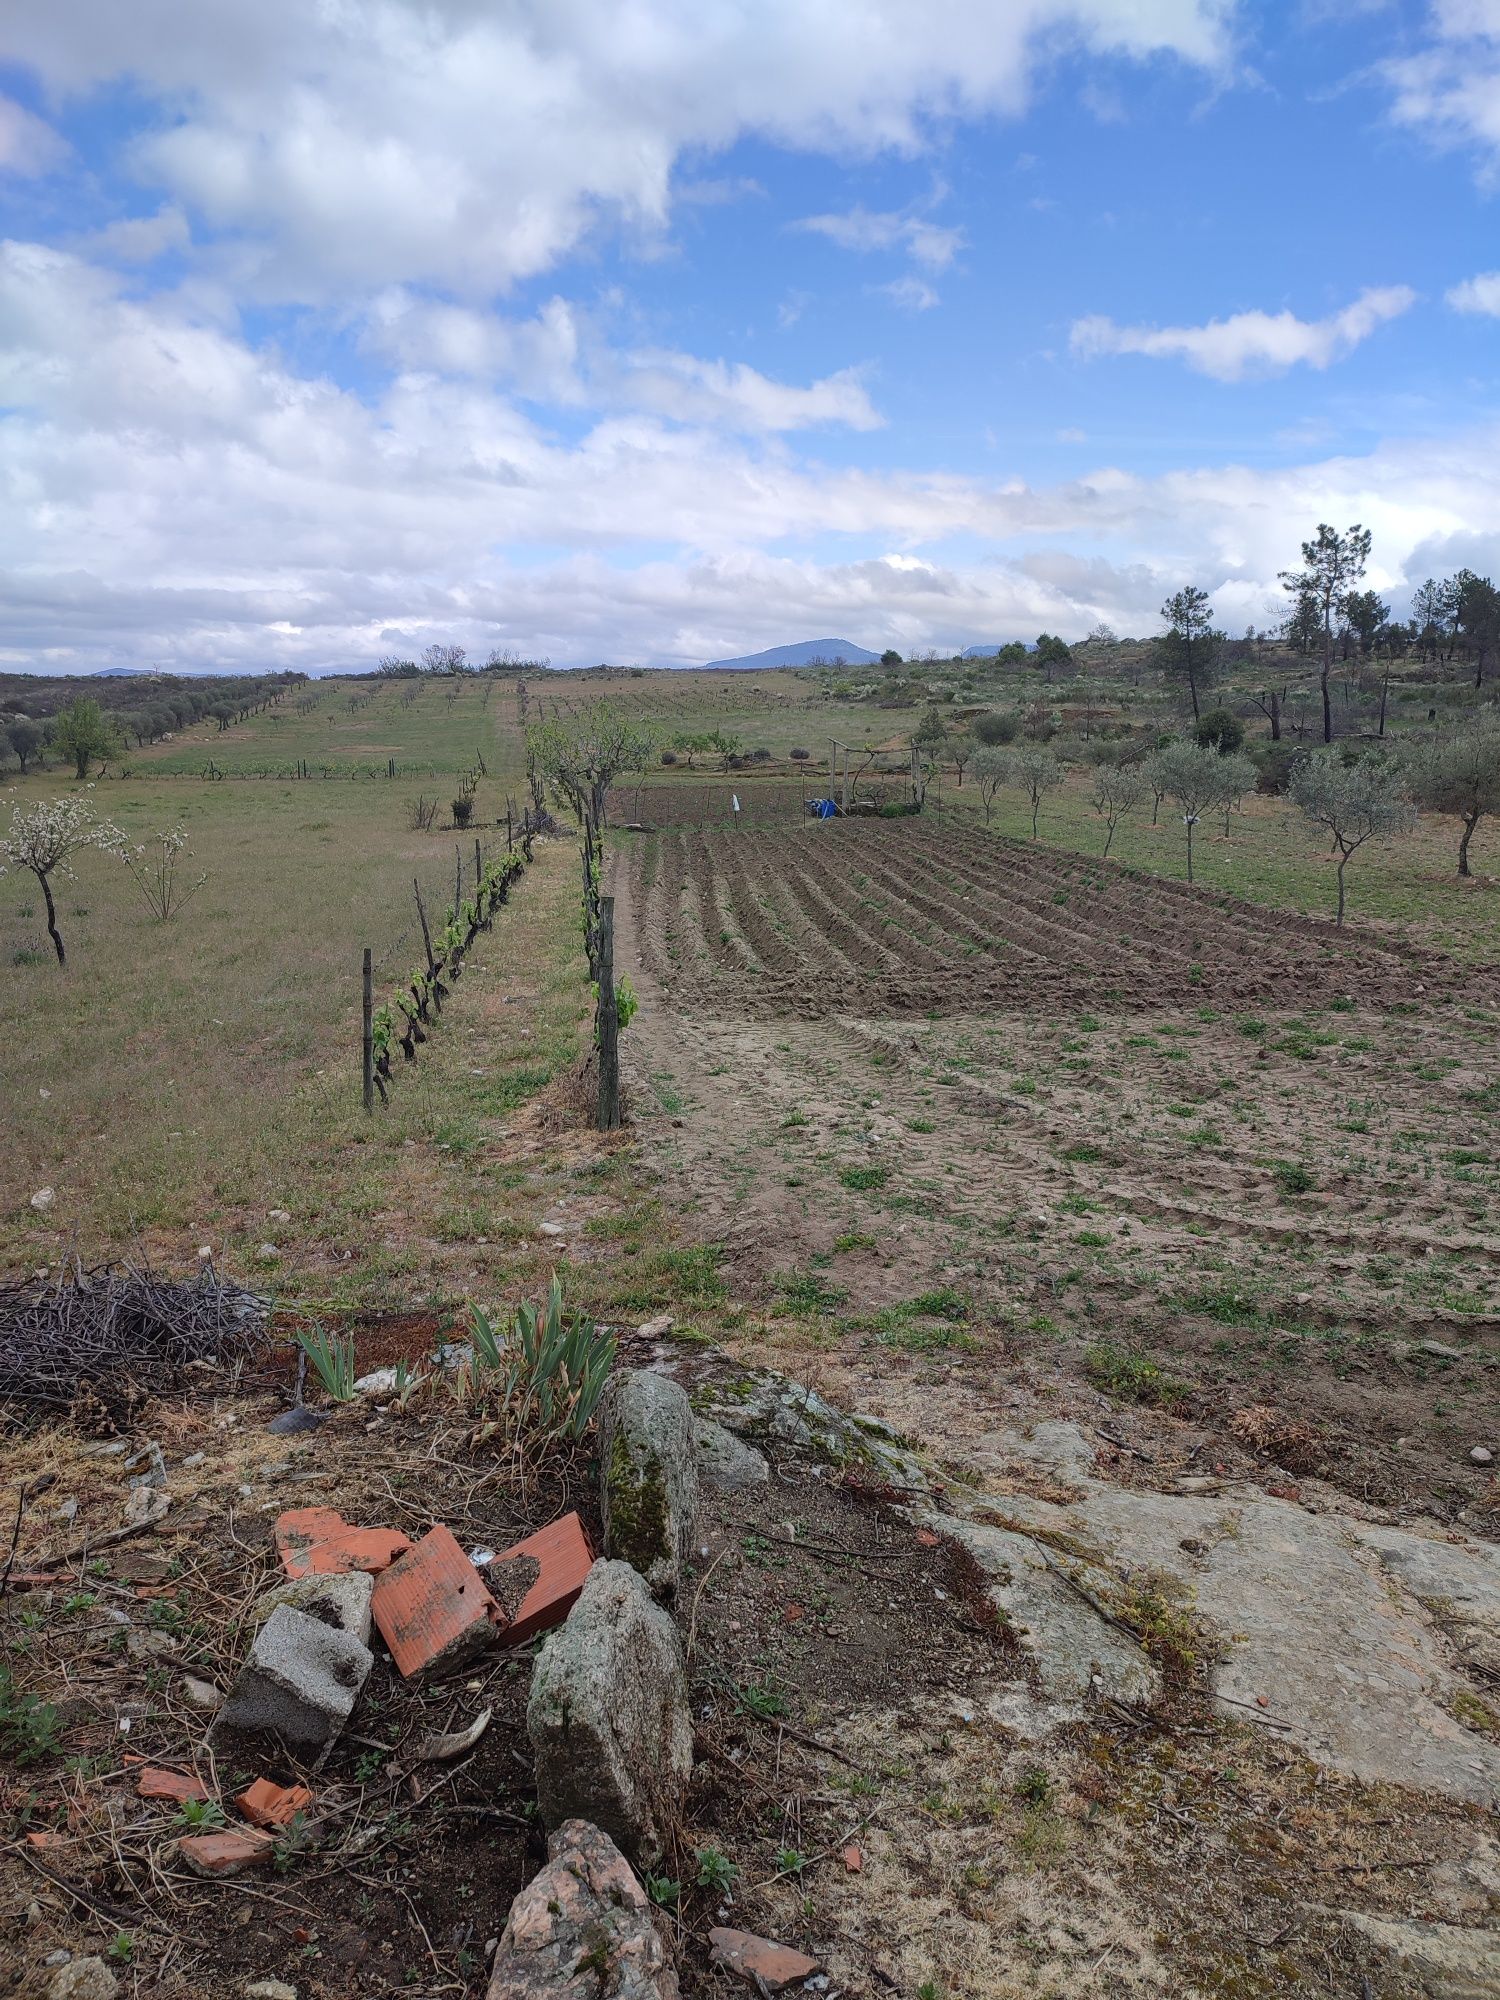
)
(375, 143)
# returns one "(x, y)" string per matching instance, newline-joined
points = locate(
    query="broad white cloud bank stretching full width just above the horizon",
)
(173, 493)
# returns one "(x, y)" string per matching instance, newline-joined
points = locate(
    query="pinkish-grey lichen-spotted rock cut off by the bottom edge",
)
(583, 1927)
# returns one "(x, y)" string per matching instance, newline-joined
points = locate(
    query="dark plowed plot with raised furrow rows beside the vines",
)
(893, 917)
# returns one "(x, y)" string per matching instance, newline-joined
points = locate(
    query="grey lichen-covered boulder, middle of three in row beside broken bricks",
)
(609, 1715)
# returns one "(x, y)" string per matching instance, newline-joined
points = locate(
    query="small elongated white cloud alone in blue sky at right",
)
(1249, 343)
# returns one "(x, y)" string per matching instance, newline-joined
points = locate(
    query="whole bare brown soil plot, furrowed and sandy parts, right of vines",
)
(1193, 1211)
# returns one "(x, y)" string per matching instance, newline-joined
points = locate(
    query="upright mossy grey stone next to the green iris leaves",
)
(649, 1475)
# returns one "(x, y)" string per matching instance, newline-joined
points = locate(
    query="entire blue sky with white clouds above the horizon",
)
(673, 329)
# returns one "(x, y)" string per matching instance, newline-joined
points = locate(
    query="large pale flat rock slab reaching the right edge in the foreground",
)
(1319, 1645)
